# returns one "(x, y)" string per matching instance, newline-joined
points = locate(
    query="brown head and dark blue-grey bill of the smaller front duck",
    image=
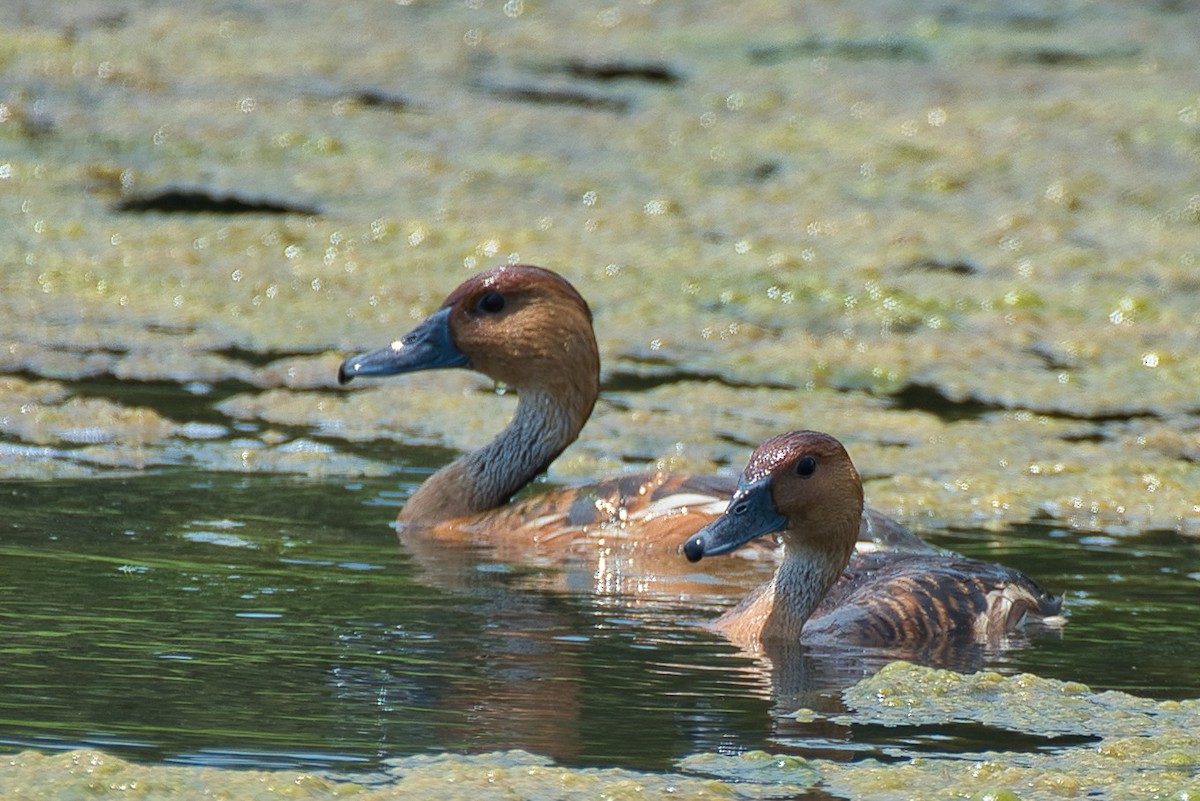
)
(802, 485)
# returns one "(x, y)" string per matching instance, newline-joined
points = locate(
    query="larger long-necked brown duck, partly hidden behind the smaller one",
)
(530, 329)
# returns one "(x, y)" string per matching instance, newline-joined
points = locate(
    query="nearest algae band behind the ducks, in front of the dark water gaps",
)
(1037, 466)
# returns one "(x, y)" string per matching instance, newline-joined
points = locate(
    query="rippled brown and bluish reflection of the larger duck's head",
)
(489, 690)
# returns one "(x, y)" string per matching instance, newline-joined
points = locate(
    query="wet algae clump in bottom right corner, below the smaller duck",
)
(1107, 745)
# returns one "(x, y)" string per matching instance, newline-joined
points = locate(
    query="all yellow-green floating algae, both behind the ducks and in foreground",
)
(907, 230)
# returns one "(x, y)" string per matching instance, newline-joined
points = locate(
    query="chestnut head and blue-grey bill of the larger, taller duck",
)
(518, 324)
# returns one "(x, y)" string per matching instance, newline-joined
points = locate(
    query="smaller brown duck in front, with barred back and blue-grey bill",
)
(803, 487)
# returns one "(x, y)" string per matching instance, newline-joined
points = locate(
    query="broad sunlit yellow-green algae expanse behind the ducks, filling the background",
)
(737, 224)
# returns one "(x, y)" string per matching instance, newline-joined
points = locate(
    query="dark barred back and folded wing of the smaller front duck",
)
(911, 598)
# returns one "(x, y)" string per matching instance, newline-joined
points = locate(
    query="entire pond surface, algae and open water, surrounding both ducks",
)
(959, 237)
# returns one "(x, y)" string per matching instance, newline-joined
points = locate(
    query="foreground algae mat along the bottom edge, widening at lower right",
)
(1111, 745)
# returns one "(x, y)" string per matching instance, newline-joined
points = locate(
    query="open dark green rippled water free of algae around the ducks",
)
(223, 619)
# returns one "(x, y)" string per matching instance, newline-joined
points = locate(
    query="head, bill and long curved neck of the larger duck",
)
(523, 327)
